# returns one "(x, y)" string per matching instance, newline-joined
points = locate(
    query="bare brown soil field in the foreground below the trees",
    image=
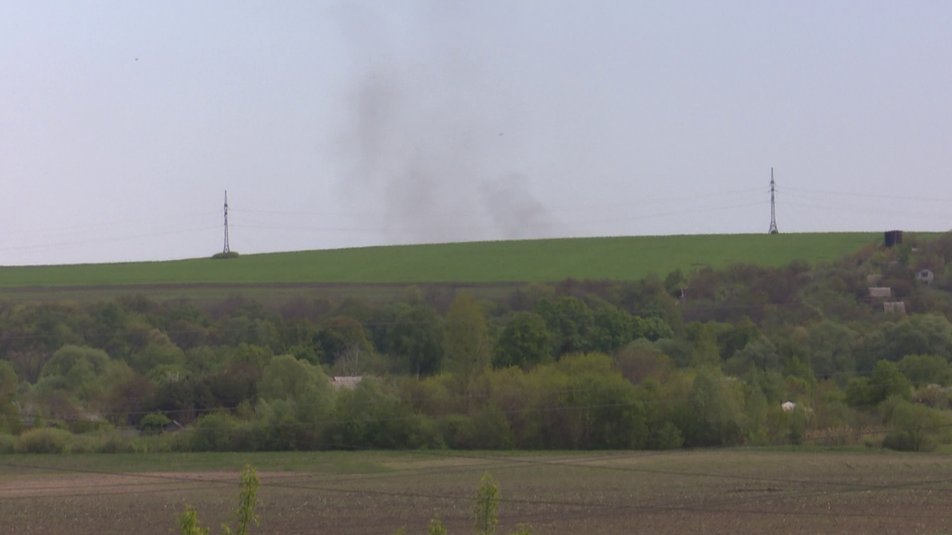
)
(733, 491)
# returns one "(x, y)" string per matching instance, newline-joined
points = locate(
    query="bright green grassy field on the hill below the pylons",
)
(627, 258)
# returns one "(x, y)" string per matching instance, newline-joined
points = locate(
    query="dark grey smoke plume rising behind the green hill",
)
(422, 149)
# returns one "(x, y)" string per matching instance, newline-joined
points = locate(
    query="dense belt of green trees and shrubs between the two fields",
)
(700, 358)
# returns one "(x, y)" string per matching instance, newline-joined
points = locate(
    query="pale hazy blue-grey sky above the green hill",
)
(354, 123)
